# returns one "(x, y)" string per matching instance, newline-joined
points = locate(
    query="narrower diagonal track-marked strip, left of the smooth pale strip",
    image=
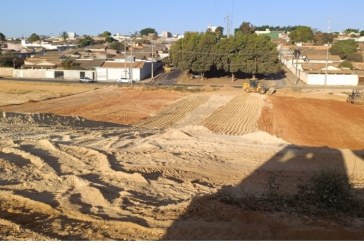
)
(171, 114)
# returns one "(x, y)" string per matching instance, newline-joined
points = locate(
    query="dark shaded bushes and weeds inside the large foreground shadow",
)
(328, 193)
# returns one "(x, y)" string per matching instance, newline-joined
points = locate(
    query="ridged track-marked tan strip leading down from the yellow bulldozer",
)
(239, 116)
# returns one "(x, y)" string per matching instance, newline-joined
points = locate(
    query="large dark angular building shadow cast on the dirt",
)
(209, 218)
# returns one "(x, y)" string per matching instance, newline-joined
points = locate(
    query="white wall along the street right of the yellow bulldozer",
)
(333, 79)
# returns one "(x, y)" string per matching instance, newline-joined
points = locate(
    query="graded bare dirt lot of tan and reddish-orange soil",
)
(65, 174)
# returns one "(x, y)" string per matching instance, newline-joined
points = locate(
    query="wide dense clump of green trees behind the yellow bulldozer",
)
(242, 53)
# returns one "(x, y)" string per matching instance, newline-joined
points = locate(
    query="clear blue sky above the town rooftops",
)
(23, 17)
